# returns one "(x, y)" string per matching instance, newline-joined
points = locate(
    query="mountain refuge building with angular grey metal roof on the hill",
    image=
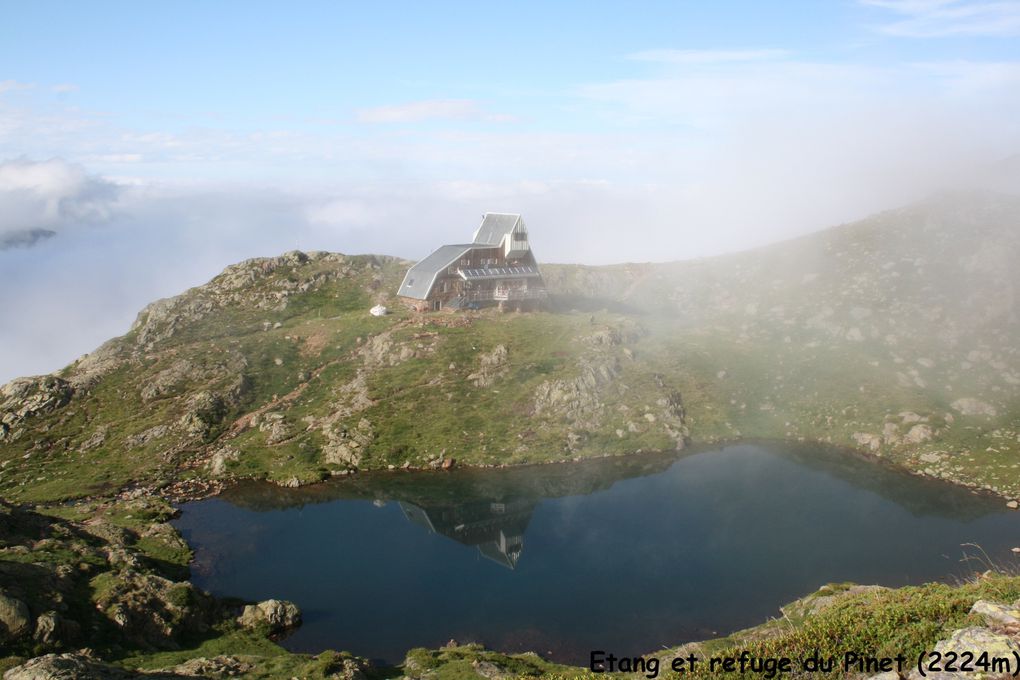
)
(498, 268)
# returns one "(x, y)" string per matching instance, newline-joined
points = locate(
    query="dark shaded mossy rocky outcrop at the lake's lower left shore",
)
(91, 579)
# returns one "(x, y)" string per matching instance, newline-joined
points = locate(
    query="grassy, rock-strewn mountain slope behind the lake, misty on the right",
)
(897, 336)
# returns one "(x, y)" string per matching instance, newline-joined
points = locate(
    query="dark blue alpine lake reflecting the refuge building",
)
(626, 554)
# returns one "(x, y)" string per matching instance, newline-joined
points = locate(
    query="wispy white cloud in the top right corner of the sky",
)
(941, 19)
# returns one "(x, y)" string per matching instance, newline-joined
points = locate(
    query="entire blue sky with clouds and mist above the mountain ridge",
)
(186, 136)
